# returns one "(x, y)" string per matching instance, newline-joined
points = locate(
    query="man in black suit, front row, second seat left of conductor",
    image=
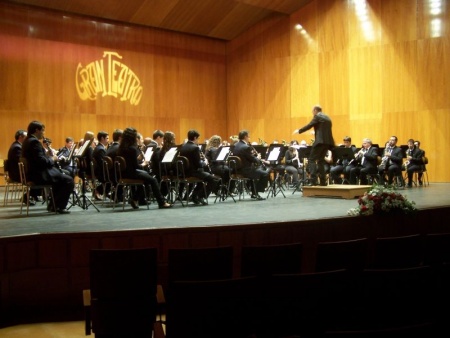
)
(191, 151)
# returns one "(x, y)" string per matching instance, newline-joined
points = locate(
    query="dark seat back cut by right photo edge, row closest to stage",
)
(436, 249)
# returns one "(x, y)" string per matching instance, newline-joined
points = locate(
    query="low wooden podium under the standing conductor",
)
(336, 190)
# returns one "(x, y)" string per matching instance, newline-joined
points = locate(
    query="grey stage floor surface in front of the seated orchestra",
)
(293, 207)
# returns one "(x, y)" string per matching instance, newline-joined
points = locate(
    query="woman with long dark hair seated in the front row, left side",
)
(129, 150)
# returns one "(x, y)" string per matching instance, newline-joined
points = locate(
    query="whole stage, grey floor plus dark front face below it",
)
(44, 258)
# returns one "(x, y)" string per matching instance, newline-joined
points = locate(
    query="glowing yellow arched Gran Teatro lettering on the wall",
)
(108, 76)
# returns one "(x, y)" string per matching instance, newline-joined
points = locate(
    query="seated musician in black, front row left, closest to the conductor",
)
(250, 166)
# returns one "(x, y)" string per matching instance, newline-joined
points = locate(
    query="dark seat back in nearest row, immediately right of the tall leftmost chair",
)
(215, 308)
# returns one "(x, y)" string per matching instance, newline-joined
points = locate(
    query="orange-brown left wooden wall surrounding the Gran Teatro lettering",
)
(182, 77)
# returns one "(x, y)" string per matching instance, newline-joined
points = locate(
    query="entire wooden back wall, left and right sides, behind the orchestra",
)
(386, 75)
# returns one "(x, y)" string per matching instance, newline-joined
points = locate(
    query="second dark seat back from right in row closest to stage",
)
(397, 252)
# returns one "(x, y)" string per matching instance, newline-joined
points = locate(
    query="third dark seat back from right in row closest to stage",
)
(351, 255)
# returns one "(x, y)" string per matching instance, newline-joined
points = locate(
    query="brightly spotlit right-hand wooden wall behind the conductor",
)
(379, 77)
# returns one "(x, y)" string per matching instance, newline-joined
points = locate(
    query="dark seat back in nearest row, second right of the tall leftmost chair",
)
(305, 305)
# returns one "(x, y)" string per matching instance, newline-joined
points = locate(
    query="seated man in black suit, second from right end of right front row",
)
(393, 158)
